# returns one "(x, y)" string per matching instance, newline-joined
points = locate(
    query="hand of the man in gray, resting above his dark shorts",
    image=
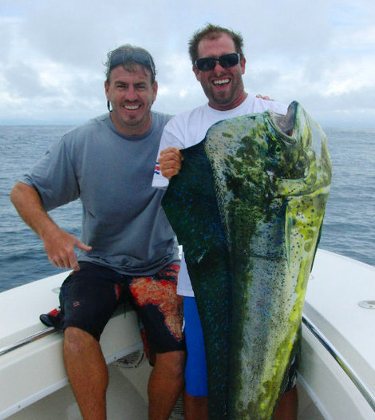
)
(59, 246)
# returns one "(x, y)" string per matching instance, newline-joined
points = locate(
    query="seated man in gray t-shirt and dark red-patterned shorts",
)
(126, 239)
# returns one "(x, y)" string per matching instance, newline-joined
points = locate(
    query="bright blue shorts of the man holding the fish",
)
(196, 370)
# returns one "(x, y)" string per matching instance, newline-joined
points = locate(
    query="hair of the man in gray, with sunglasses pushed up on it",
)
(130, 56)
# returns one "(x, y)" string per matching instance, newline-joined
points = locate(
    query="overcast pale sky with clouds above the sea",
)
(318, 52)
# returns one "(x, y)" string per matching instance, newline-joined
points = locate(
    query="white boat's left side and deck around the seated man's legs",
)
(34, 383)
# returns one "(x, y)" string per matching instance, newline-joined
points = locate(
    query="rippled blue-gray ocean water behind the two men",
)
(349, 225)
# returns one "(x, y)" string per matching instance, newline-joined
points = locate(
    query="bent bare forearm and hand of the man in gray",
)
(58, 244)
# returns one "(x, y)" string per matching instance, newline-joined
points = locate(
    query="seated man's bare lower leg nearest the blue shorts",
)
(166, 384)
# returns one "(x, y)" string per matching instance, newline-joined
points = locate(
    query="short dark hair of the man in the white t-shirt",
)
(211, 31)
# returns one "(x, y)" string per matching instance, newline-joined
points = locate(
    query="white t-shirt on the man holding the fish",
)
(189, 128)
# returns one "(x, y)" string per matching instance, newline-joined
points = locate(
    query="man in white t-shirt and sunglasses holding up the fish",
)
(218, 64)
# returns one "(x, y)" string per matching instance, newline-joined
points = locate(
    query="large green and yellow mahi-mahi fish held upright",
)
(248, 206)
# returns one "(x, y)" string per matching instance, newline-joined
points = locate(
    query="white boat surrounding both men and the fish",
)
(34, 384)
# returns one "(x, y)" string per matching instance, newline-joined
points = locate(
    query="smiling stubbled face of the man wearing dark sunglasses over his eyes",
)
(223, 86)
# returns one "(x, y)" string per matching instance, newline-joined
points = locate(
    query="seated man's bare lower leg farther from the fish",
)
(87, 372)
